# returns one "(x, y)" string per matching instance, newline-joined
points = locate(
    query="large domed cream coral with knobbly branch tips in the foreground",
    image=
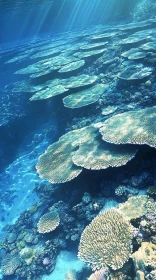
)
(103, 240)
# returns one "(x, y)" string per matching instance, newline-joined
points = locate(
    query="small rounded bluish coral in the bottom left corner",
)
(10, 263)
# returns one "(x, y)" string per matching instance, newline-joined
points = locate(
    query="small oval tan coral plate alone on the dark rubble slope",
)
(48, 222)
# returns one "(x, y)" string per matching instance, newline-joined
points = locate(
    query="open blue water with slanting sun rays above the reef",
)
(23, 19)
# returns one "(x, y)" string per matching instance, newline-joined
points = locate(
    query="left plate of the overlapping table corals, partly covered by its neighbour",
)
(56, 165)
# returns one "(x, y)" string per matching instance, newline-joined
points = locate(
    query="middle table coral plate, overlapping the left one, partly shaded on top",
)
(96, 154)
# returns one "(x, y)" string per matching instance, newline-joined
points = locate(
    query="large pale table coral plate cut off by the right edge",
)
(133, 127)
